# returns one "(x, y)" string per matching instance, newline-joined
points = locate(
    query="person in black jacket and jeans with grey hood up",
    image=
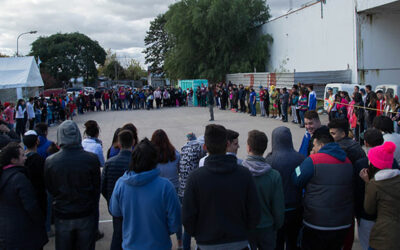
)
(72, 177)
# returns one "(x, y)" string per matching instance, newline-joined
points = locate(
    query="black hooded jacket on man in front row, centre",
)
(221, 202)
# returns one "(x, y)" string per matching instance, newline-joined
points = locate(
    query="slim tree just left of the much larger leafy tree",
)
(157, 44)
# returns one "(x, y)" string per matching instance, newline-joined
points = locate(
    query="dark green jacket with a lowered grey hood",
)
(270, 192)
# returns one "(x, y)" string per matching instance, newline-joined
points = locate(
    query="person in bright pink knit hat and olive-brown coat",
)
(382, 196)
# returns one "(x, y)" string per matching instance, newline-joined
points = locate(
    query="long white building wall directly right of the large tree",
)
(315, 38)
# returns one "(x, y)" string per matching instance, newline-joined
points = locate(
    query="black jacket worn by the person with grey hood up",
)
(72, 176)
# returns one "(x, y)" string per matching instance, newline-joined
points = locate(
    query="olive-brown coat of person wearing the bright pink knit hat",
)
(382, 196)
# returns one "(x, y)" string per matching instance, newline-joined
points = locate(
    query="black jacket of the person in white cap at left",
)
(35, 169)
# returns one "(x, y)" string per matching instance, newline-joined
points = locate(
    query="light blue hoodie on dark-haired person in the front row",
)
(150, 210)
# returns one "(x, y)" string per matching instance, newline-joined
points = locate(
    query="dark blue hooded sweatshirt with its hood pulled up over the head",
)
(285, 159)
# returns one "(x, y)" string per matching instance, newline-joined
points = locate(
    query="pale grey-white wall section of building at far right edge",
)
(379, 45)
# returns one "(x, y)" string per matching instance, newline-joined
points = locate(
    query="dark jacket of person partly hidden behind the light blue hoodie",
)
(114, 168)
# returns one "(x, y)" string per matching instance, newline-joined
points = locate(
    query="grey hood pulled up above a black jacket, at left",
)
(68, 134)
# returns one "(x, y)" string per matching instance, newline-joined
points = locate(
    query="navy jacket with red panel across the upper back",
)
(328, 179)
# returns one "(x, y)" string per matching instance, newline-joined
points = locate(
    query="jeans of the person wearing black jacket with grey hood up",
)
(76, 233)
